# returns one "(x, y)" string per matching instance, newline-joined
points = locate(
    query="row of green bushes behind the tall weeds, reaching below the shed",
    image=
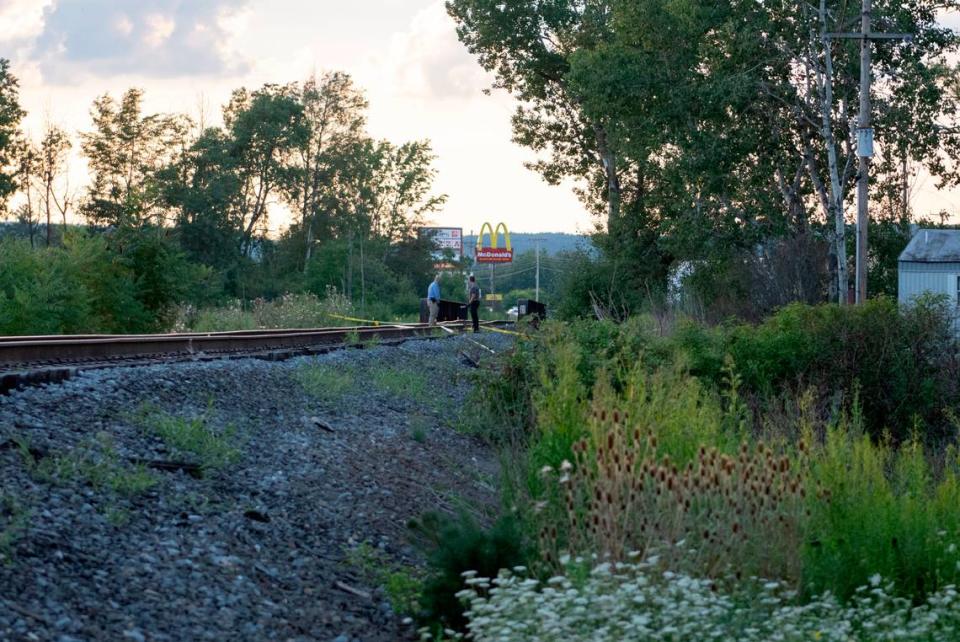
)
(903, 361)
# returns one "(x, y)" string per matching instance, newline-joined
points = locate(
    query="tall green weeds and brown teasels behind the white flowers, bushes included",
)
(756, 423)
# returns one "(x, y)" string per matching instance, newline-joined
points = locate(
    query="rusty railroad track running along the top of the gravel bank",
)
(32, 360)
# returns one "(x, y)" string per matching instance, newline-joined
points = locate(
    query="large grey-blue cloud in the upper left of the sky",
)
(155, 38)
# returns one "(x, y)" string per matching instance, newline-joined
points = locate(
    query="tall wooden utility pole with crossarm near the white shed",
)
(865, 136)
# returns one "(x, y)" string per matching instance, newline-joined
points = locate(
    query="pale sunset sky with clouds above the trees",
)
(188, 55)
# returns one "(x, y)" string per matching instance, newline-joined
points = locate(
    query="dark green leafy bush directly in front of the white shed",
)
(903, 361)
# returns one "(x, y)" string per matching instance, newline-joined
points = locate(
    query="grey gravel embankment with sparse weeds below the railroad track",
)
(318, 455)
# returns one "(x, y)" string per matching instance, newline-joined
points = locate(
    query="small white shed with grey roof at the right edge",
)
(930, 263)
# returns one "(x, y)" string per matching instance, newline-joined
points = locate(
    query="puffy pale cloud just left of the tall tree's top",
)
(428, 61)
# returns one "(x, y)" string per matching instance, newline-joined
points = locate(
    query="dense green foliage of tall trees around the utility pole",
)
(700, 129)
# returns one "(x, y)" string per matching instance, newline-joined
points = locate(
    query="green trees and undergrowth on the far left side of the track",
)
(177, 215)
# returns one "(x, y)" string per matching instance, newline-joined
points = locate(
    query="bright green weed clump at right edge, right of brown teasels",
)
(881, 511)
